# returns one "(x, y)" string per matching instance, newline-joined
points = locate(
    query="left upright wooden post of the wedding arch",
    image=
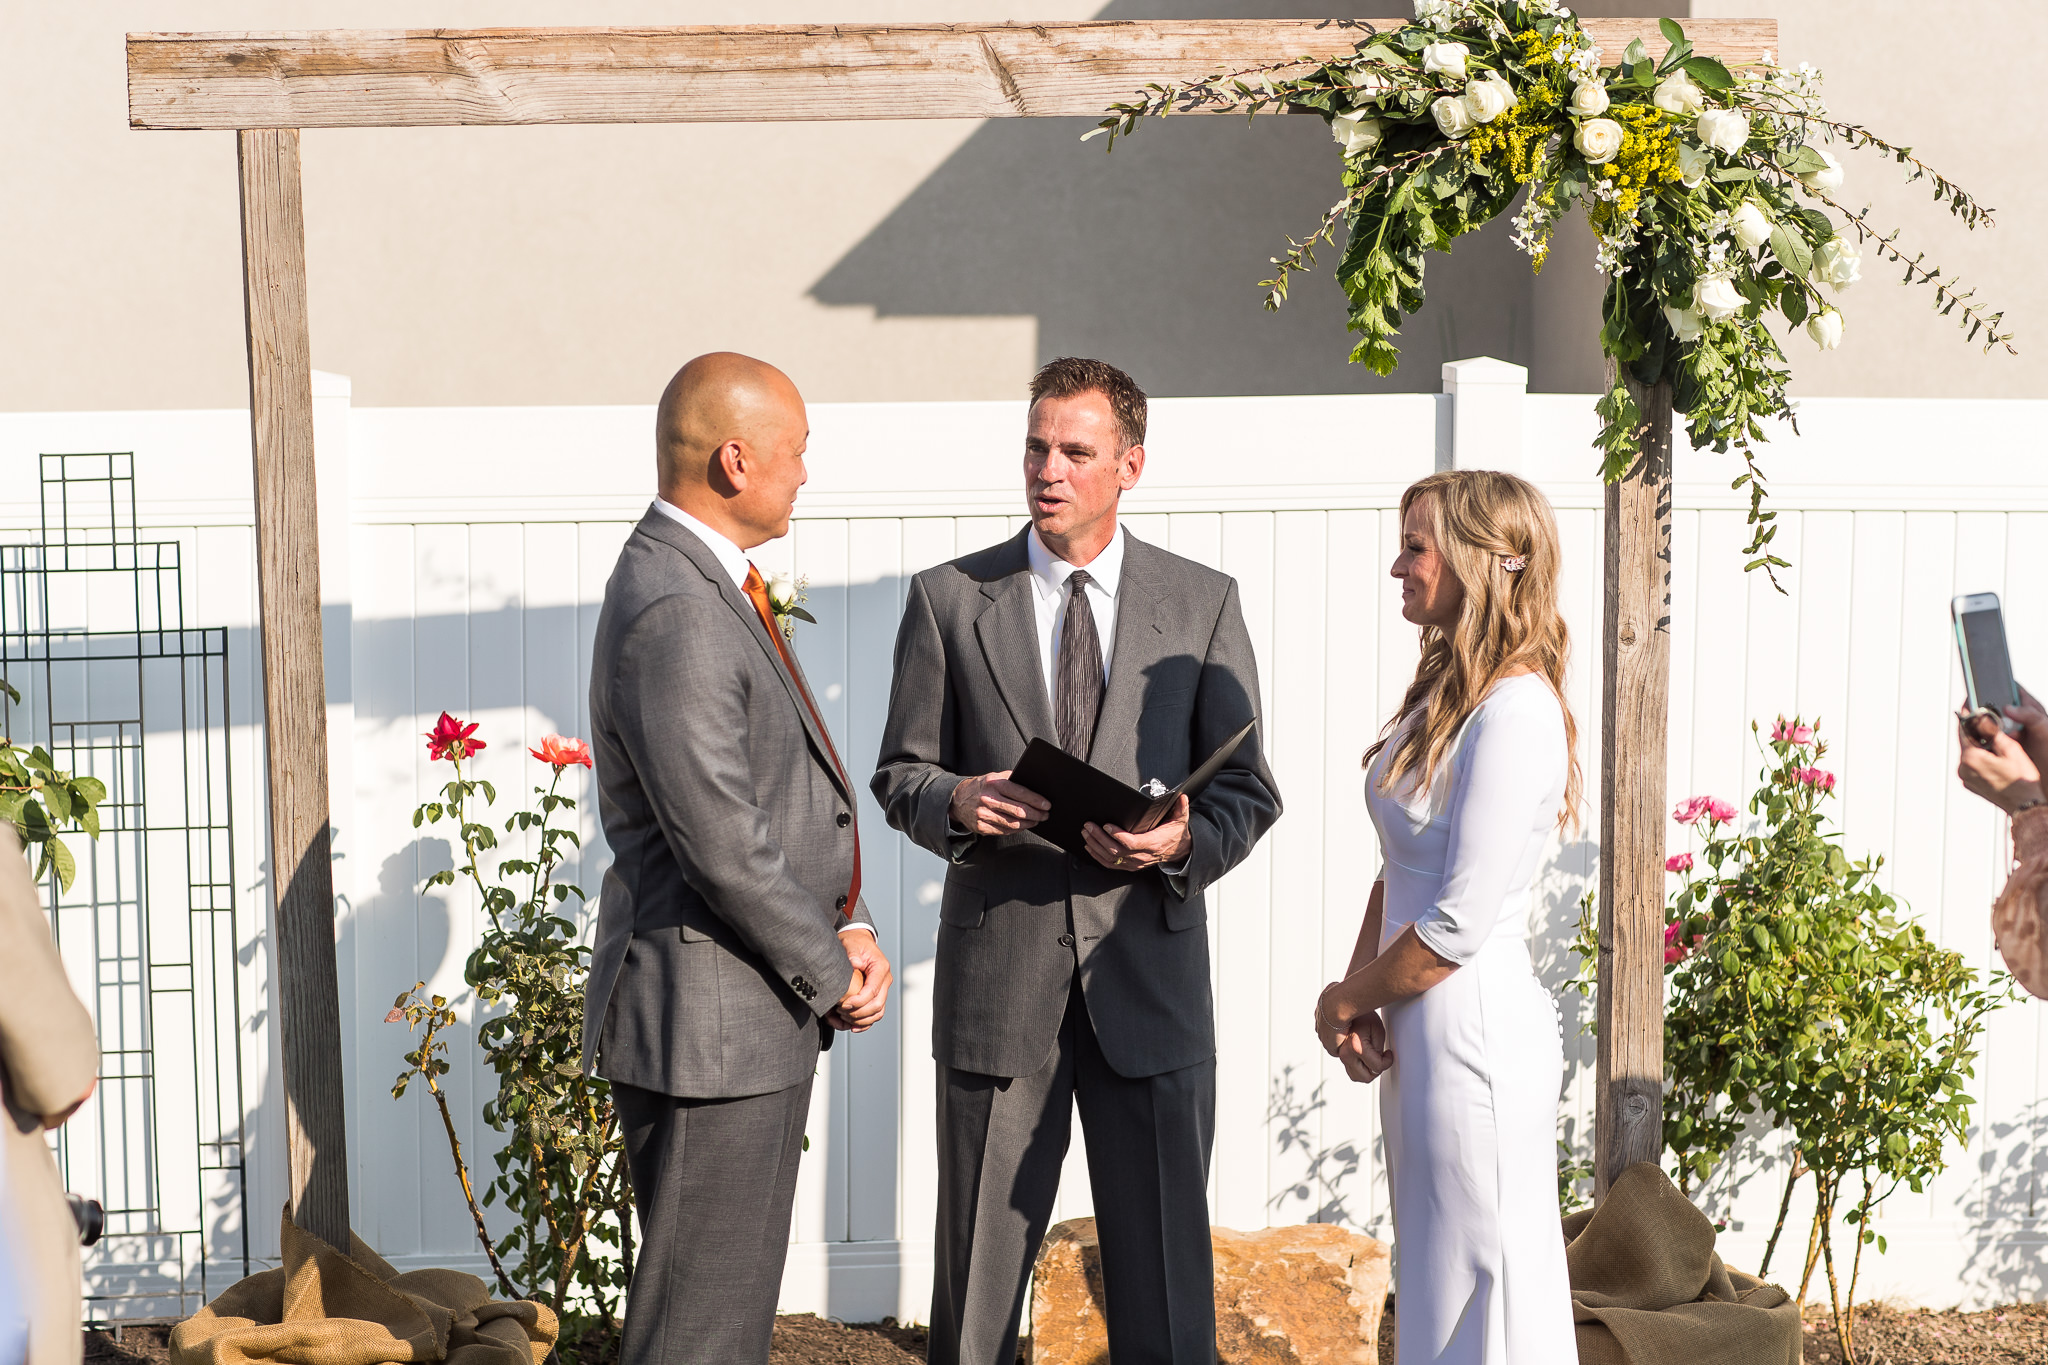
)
(296, 705)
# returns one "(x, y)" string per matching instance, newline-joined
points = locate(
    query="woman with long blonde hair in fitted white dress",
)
(1465, 789)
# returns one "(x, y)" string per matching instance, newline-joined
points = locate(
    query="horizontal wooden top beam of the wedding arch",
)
(742, 75)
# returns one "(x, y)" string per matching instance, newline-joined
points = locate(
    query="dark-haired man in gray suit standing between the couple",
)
(1068, 979)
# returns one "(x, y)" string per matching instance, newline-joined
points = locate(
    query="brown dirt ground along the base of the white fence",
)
(2010, 1335)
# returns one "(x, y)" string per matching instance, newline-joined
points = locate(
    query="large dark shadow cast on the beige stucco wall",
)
(1152, 257)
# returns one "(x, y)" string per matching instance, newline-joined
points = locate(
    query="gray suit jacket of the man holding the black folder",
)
(970, 695)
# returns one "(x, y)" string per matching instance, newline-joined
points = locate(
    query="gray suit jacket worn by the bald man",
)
(732, 840)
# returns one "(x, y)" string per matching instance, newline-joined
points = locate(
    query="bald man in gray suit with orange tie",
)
(732, 938)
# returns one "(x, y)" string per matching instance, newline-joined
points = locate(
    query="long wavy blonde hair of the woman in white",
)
(1506, 625)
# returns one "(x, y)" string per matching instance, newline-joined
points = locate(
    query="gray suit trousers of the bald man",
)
(714, 1182)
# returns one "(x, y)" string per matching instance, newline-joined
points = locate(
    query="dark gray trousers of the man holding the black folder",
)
(1000, 1147)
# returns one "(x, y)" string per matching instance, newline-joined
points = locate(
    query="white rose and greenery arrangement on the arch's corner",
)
(1711, 191)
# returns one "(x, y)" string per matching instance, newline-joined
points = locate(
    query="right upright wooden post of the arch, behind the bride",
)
(1635, 693)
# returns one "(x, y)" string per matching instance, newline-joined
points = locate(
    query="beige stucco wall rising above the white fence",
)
(876, 261)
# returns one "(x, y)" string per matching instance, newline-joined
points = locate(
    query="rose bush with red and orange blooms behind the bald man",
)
(562, 1168)
